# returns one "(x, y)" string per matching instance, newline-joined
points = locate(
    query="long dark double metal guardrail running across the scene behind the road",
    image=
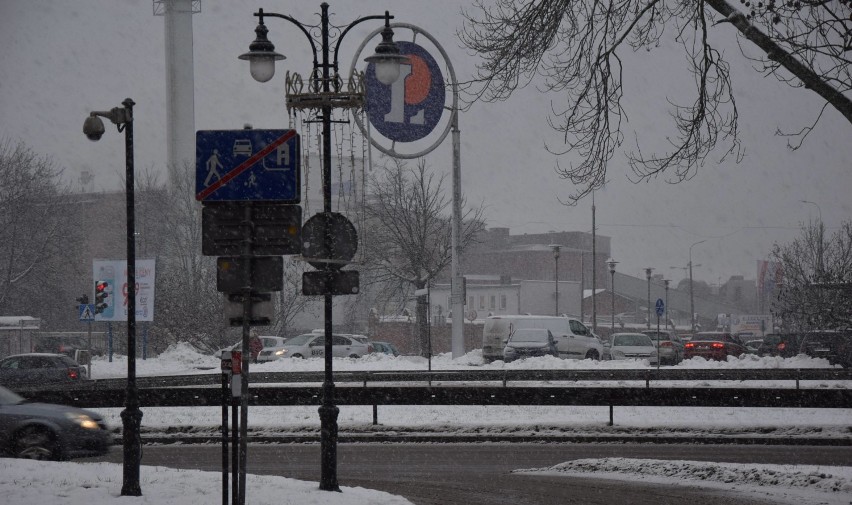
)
(453, 387)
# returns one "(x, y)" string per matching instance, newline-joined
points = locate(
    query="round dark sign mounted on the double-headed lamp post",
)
(340, 247)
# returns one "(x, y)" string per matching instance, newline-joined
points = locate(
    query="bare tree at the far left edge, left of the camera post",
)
(37, 233)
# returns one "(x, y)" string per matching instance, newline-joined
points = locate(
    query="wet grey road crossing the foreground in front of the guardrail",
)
(474, 474)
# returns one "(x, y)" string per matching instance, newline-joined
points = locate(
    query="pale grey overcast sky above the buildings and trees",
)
(62, 59)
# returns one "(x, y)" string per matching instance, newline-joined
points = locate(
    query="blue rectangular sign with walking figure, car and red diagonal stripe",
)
(247, 165)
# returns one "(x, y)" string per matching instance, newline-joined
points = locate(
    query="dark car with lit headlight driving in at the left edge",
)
(48, 431)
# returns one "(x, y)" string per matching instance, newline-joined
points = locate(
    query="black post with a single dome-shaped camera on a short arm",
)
(131, 416)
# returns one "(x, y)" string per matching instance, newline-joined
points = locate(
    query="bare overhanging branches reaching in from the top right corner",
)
(577, 47)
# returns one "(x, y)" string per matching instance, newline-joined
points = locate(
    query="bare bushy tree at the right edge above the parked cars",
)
(816, 292)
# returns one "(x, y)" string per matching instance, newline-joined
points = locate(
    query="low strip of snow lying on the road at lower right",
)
(834, 482)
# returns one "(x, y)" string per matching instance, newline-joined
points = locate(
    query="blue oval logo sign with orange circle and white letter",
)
(410, 108)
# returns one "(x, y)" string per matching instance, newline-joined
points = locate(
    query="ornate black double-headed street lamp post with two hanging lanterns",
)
(325, 94)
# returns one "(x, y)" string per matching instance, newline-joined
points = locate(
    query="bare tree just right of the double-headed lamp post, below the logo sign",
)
(409, 234)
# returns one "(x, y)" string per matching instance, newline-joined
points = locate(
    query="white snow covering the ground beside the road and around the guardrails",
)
(95, 483)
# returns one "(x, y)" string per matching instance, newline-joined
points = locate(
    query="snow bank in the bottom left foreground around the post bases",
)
(25, 481)
